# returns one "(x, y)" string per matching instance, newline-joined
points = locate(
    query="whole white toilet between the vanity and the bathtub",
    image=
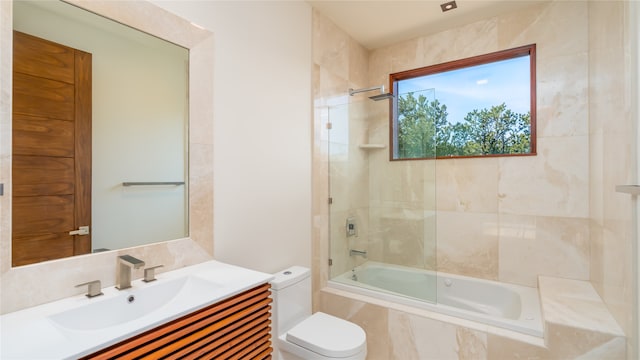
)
(298, 334)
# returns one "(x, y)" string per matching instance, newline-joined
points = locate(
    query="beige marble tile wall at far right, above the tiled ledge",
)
(611, 142)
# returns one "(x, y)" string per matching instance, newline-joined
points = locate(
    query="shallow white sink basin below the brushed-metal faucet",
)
(134, 303)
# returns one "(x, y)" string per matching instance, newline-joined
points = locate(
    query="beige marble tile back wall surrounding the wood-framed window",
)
(493, 213)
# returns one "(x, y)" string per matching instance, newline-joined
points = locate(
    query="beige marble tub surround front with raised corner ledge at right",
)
(398, 332)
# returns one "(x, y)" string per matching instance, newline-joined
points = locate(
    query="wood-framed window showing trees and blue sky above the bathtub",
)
(480, 106)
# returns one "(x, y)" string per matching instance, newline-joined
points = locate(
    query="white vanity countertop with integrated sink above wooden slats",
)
(47, 332)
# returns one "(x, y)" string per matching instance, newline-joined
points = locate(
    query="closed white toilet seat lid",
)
(328, 335)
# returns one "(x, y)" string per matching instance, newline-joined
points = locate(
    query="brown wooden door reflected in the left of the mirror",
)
(51, 150)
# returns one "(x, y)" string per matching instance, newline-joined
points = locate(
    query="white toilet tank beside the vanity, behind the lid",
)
(291, 291)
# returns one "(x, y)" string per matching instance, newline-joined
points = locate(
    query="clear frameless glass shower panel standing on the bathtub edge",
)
(382, 215)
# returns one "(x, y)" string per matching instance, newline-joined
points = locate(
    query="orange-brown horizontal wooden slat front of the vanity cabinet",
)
(235, 328)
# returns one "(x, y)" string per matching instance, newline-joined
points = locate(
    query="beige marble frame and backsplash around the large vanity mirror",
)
(30, 285)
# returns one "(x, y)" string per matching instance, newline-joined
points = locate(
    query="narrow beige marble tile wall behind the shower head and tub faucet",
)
(340, 63)
